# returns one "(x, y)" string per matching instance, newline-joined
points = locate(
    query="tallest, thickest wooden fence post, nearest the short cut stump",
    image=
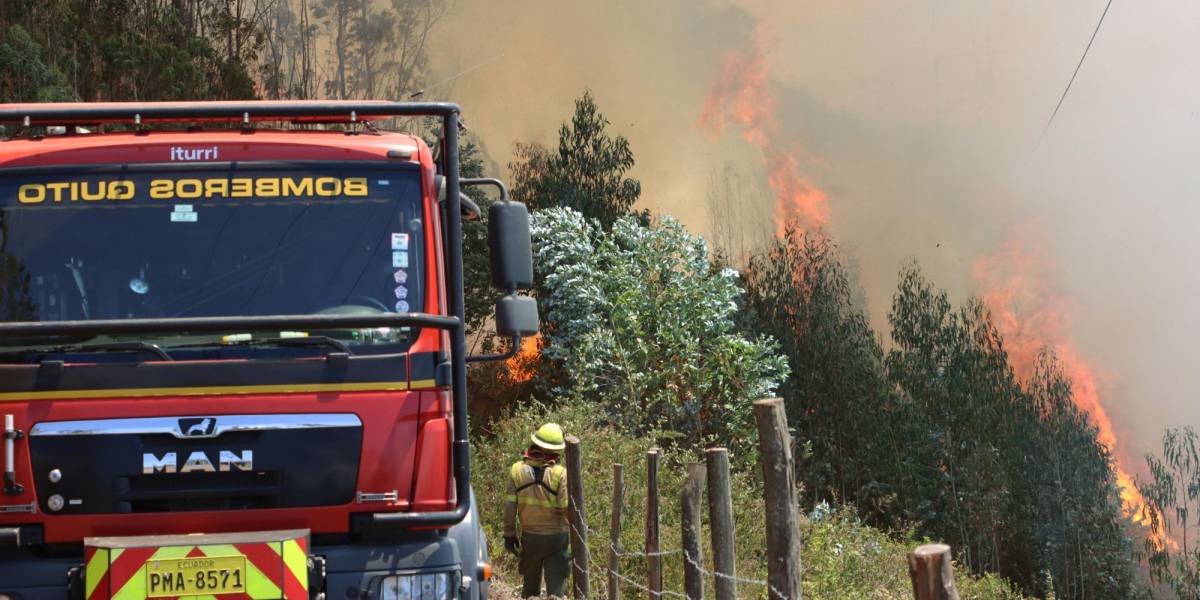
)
(783, 523)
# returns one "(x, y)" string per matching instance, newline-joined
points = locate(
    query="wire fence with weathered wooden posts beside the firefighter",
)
(929, 566)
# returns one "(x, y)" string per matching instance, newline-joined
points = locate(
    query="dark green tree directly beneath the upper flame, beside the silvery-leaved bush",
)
(800, 293)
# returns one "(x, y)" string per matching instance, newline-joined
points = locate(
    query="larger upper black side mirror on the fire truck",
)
(512, 250)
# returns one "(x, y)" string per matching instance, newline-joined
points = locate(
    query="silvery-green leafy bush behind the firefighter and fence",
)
(640, 321)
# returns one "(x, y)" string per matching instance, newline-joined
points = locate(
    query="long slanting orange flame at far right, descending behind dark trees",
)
(1030, 316)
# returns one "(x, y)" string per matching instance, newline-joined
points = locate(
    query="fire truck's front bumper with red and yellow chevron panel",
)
(267, 566)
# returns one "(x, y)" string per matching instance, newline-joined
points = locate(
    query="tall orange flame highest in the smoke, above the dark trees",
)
(742, 97)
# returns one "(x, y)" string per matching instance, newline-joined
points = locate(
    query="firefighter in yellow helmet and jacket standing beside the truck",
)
(537, 497)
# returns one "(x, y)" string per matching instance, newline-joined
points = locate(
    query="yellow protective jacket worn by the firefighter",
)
(539, 503)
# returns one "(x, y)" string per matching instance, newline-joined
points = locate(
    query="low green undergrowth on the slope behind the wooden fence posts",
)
(843, 559)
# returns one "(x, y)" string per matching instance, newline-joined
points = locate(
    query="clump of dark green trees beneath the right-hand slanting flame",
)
(1023, 482)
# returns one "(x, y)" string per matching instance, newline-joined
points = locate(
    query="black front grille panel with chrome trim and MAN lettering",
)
(223, 463)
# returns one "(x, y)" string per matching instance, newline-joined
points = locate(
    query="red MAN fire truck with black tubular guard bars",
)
(232, 352)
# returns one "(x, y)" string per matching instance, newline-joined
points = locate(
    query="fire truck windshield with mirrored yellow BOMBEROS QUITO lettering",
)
(244, 241)
